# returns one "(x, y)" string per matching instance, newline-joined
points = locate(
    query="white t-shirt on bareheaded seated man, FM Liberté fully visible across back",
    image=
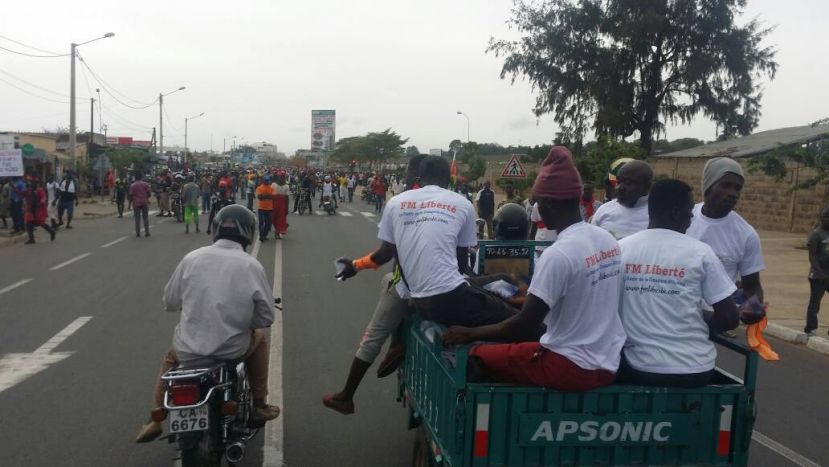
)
(667, 278)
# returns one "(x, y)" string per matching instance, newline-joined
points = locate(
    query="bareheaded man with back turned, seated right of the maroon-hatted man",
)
(667, 277)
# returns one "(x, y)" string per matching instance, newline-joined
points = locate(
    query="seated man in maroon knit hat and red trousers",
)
(574, 291)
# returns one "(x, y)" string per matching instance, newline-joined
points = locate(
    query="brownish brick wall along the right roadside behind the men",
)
(765, 203)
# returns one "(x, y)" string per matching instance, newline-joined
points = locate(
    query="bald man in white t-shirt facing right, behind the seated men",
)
(628, 213)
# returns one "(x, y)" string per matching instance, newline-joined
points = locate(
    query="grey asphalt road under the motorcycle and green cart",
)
(87, 397)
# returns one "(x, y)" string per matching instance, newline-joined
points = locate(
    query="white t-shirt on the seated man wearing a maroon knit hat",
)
(579, 278)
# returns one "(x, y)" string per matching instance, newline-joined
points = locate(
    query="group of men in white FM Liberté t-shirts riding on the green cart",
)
(629, 292)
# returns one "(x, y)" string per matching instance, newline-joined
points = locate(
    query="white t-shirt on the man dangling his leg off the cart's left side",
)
(428, 225)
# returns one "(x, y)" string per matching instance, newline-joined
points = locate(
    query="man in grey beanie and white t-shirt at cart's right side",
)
(734, 240)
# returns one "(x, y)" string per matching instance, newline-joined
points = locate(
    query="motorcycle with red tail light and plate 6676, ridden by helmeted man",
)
(210, 408)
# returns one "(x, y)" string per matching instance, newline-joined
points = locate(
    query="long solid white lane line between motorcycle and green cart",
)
(273, 454)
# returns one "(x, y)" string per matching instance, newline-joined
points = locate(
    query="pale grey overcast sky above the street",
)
(258, 67)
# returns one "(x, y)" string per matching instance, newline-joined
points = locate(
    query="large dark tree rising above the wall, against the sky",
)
(630, 66)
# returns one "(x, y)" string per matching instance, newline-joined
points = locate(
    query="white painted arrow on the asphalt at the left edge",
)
(16, 367)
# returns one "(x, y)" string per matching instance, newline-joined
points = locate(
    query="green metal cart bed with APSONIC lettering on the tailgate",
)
(473, 424)
